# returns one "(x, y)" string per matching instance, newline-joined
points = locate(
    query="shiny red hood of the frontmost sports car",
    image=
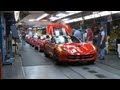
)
(78, 48)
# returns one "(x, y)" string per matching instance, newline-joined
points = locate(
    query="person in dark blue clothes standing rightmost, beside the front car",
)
(101, 43)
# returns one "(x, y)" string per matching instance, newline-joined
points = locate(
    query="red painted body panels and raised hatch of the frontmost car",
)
(69, 52)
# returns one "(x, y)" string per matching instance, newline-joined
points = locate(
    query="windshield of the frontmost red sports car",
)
(66, 39)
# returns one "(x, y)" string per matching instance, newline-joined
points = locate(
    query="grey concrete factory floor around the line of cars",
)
(34, 65)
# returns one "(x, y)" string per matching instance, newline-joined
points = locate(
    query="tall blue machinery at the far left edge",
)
(5, 41)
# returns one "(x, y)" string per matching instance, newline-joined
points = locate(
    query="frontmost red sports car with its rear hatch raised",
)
(66, 48)
